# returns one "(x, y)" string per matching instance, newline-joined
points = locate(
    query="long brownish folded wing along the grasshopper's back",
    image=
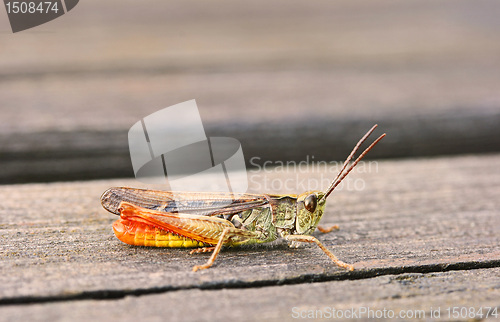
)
(197, 203)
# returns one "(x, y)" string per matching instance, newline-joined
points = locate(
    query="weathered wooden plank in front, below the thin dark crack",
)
(419, 297)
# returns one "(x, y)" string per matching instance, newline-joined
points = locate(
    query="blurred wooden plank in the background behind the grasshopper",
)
(281, 90)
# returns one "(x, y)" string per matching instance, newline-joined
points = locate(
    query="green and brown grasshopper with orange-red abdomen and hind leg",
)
(210, 220)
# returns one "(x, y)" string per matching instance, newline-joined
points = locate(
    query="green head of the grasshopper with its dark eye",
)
(310, 208)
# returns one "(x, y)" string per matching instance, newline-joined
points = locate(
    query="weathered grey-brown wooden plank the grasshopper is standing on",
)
(410, 216)
